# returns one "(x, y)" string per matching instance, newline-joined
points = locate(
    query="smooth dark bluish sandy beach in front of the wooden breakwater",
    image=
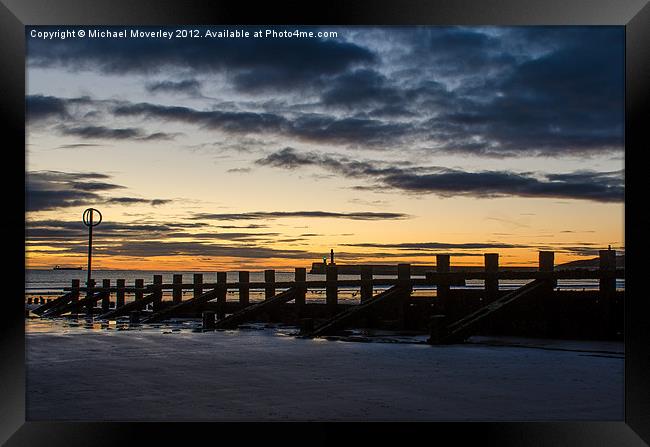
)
(177, 373)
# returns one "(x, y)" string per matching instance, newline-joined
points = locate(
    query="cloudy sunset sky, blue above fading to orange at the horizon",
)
(386, 144)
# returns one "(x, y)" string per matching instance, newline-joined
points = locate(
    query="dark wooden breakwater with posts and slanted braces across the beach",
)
(449, 314)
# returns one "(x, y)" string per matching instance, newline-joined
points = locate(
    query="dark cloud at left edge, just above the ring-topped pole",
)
(49, 190)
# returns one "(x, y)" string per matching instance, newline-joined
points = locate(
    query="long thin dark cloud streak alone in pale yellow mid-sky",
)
(361, 215)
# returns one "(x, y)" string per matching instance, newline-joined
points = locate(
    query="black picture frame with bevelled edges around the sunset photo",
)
(16, 14)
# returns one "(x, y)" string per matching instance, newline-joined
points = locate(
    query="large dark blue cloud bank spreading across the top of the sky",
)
(499, 91)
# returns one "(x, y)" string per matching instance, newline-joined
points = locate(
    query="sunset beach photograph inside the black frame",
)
(340, 223)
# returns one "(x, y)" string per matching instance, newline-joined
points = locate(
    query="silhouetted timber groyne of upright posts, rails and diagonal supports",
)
(452, 299)
